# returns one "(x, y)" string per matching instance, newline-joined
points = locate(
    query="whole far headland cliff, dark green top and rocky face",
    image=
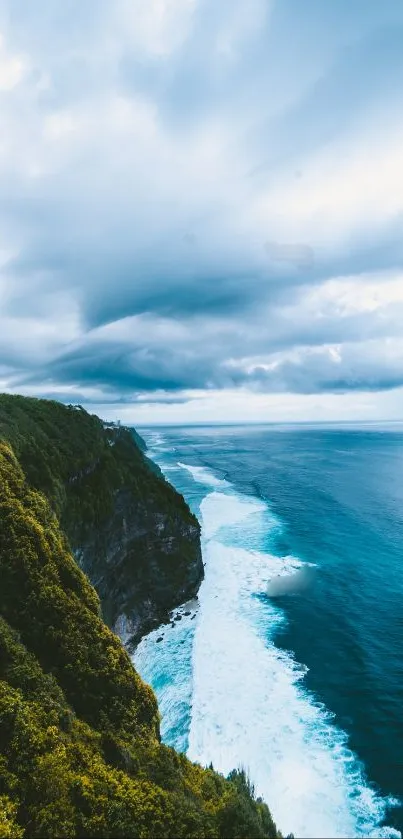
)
(130, 531)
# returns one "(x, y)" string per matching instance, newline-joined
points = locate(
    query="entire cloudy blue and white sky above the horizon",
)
(201, 208)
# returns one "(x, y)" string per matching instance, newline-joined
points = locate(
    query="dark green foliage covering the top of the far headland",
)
(79, 463)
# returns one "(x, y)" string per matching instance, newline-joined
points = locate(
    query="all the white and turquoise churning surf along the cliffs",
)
(212, 665)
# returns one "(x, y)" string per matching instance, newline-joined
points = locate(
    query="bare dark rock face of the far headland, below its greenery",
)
(143, 563)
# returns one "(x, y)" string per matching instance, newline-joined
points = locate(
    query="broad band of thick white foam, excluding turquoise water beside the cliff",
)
(250, 707)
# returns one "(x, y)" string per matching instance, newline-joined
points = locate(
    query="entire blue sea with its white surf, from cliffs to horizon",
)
(301, 684)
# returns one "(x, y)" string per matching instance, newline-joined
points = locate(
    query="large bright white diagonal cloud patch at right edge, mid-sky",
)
(349, 188)
